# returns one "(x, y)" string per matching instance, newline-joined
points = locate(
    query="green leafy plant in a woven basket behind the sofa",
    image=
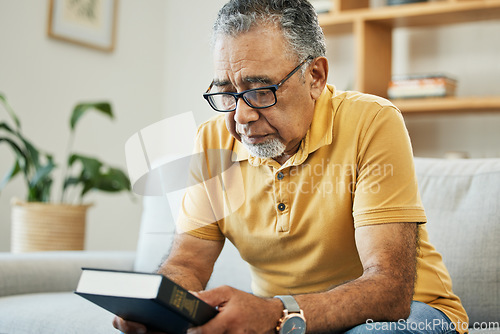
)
(42, 222)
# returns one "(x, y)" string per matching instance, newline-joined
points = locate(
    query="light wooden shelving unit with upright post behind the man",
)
(372, 29)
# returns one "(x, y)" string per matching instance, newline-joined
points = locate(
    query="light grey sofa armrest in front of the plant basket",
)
(54, 271)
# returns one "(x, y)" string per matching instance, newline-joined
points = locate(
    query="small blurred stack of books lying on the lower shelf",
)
(420, 86)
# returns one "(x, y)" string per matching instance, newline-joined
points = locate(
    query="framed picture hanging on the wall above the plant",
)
(90, 23)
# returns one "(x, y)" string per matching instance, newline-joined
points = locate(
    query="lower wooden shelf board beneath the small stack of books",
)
(449, 104)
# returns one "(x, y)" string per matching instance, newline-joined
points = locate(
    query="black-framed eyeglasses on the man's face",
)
(258, 98)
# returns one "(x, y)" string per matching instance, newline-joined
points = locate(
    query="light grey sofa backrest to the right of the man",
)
(462, 203)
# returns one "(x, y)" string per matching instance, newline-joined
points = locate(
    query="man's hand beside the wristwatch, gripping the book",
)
(239, 312)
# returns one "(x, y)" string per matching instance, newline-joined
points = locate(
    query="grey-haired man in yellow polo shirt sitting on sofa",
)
(332, 222)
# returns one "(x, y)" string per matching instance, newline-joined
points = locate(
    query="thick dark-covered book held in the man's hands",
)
(150, 299)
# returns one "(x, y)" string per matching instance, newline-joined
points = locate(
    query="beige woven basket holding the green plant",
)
(47, 227)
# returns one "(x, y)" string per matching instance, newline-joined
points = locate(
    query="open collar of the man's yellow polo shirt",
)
(320, 133)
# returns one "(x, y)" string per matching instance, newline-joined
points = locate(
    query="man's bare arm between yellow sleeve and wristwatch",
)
(385, 290)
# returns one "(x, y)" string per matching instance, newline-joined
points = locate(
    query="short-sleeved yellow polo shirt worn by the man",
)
(294, 223)
